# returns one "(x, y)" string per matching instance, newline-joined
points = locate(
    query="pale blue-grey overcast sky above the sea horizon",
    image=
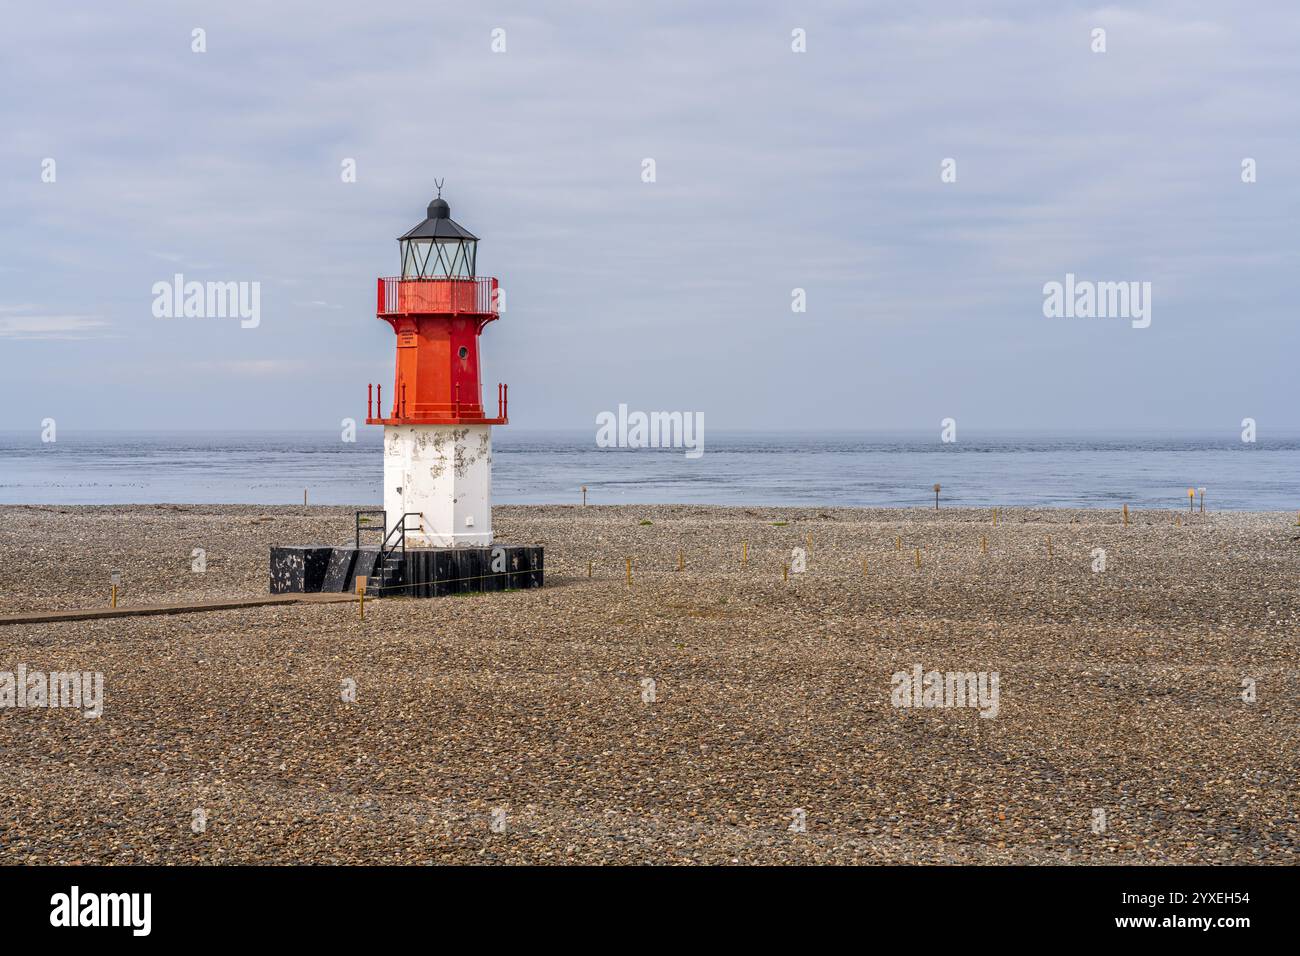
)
(774, 171)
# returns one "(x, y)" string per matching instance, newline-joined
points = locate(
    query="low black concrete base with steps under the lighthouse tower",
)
(422, 573)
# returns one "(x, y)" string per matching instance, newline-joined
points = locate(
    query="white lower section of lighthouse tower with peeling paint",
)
(444, 475)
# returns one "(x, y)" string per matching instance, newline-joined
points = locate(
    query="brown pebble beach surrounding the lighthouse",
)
(736, 711)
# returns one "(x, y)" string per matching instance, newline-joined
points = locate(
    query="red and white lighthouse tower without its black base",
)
(437, 435)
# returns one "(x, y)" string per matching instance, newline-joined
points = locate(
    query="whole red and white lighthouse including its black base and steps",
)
(436, 534)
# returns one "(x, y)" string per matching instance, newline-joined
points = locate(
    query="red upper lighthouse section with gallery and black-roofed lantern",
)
(437, 308)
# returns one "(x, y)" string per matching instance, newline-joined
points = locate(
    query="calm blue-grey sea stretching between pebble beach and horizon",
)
(753, 469)
